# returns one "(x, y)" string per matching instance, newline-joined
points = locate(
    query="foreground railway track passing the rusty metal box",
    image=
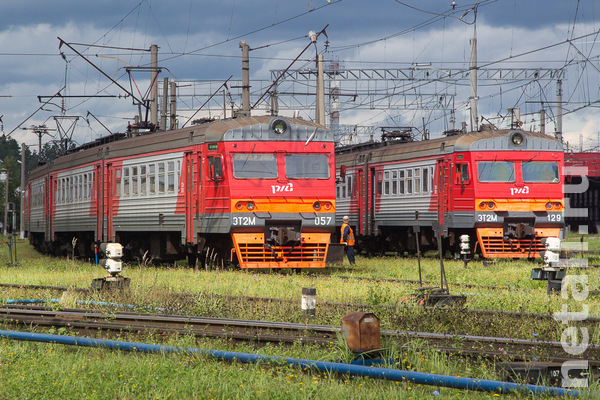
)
(93, 323)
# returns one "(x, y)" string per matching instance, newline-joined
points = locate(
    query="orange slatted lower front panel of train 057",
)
(252, 252)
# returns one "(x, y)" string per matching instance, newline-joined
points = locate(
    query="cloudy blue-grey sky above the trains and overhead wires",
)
(199, 42)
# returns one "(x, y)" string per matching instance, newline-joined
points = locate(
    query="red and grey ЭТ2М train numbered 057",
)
(258, 192)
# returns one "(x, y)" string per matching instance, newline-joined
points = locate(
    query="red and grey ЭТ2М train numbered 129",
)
(503, 188)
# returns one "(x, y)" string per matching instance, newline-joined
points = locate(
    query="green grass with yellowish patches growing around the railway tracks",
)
(46, 371)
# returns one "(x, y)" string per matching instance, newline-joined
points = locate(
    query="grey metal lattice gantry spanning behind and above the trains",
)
(391, 91)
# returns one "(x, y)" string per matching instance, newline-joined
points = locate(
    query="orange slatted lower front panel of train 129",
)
(493, 244)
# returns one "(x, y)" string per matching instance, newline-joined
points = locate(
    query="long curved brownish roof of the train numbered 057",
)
(259, 128)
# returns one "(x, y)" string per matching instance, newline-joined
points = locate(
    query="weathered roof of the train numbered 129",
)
(487, 140)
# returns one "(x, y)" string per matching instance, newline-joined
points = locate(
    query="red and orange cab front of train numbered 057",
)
(282, 195)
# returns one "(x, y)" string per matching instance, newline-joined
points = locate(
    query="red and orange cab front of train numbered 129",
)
(519, 195)
